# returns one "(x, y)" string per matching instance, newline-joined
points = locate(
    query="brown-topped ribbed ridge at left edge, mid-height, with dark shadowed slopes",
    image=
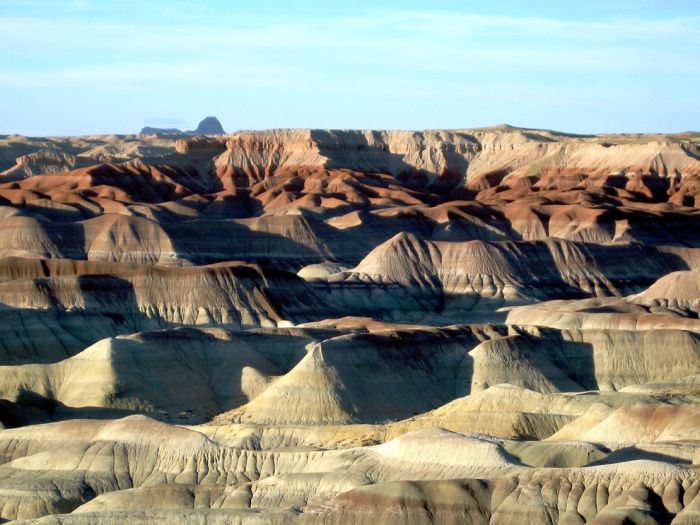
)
(49, 318)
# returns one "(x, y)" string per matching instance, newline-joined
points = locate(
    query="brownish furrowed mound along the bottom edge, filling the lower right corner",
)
(563, 496)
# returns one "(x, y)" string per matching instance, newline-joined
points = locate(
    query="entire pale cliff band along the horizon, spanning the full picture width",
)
(439, 160)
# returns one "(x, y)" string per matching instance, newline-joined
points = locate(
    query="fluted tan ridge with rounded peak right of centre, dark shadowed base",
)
(408, 274)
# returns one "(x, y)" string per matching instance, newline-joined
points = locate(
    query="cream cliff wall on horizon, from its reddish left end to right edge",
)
(444, 160)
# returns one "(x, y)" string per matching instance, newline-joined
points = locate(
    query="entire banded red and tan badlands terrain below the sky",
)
(490, 326)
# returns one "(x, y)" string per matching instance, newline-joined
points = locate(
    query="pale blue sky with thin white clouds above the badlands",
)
(78, 67)
